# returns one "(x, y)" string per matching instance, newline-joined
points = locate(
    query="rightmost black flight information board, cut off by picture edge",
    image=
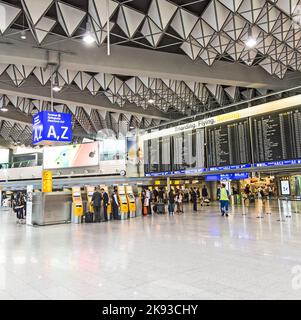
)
(277, 136)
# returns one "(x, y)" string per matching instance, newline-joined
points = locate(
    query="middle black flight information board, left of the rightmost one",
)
(229, 144)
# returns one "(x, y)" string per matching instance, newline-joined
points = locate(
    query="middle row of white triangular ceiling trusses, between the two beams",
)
(169, 95)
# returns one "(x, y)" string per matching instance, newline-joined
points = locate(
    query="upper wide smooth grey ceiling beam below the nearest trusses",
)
(131, 61)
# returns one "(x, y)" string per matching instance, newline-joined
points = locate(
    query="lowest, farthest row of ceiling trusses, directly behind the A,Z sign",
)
(87, 121)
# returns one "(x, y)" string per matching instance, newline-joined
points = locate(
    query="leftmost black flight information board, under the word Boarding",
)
(180, 152)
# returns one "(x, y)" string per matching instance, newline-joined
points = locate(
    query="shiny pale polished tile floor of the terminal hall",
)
(249, 255)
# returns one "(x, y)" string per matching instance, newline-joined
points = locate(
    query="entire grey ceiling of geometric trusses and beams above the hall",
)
(188, 56)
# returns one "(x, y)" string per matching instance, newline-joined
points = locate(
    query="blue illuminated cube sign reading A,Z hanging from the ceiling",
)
(51, 126)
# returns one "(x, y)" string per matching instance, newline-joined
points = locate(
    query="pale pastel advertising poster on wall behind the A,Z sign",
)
(78, 155)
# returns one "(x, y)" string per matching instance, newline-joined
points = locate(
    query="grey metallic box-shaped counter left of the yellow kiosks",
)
(51, 208)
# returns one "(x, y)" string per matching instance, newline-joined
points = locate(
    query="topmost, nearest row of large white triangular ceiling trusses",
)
(217, 31)
